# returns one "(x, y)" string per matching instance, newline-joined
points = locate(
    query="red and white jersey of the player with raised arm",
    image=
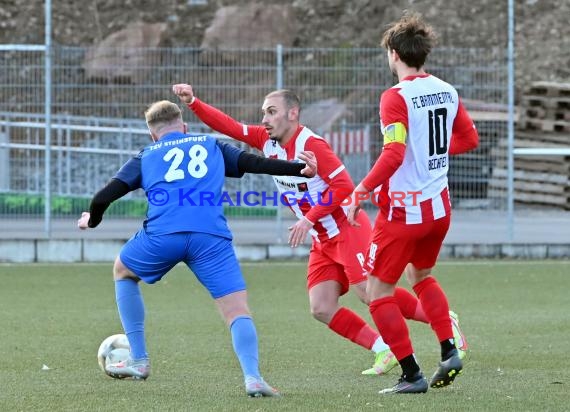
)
(318, 199)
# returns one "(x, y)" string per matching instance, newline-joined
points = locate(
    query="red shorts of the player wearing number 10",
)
(395, 244)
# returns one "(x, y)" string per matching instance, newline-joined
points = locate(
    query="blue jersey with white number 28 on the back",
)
(183, 177)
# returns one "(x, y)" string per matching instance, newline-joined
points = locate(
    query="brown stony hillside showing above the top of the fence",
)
(542, 30)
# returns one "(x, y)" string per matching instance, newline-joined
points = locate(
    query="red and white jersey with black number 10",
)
(428, 108)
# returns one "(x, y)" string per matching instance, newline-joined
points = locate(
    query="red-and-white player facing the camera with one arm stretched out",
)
(337, 252)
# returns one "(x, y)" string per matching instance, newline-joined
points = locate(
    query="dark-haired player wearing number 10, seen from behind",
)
(423, 122)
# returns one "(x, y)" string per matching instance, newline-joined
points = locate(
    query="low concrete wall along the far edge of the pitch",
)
(88, 250)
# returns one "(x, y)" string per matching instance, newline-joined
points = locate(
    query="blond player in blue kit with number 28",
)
(183, 176)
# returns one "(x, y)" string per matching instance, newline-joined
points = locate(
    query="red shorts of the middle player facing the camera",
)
(341, 258)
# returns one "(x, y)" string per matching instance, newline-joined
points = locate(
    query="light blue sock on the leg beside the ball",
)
(131, 310)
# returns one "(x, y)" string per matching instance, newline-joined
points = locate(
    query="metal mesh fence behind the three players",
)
(98, 104)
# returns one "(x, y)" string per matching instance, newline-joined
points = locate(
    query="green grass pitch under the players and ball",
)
(515, 315)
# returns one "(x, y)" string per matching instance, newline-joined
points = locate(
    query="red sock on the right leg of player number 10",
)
(436, 307)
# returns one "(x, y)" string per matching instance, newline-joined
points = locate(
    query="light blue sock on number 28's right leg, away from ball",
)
(244, 339)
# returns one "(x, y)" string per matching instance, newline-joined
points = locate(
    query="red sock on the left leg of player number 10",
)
(392, 326)
